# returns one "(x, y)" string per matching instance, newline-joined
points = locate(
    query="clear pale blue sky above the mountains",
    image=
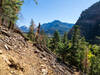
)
(49, 10)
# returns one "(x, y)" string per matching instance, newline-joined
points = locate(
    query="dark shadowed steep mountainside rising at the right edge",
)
(89, 23)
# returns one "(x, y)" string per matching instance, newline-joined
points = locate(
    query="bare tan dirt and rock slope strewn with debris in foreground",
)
(19, 57)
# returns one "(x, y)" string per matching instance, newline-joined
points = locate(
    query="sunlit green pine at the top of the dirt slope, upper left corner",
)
(9, 11)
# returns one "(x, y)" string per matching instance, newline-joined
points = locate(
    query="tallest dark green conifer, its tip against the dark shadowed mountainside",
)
(75, 45)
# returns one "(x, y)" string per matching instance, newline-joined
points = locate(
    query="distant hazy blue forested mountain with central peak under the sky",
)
(61, 27)
